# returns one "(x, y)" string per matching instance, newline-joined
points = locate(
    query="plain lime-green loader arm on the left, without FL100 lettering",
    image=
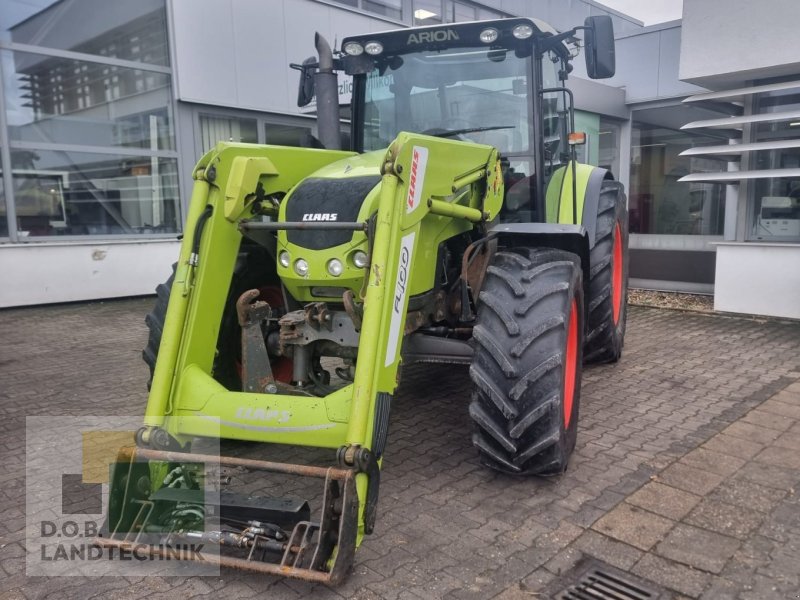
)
(226, 179)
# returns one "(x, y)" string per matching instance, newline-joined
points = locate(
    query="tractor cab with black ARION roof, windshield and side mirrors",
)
(499, 83)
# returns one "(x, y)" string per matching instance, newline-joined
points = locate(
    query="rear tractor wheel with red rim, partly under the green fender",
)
(608, 278)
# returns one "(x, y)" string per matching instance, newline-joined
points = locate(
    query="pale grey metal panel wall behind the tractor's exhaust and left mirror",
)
(237, 53)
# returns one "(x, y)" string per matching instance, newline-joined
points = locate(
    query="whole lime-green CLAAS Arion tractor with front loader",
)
(458, 228)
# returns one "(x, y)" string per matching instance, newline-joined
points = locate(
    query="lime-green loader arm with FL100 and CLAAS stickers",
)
(421, 176)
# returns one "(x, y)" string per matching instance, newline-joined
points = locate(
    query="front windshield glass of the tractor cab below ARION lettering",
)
(471, 94)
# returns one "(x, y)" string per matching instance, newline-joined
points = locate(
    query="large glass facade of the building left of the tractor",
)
(88, 134)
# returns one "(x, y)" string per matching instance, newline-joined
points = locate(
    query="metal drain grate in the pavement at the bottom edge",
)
(594, 580)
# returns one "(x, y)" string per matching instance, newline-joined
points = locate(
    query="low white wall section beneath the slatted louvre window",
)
(761, 279)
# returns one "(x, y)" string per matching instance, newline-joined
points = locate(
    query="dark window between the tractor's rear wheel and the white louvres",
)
(659, 202)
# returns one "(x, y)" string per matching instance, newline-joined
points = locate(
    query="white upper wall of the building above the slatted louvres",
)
(727, 42)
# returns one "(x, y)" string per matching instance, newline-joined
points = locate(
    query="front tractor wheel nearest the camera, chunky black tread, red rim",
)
(526, 371)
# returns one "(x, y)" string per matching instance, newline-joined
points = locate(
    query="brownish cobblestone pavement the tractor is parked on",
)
(686, 472)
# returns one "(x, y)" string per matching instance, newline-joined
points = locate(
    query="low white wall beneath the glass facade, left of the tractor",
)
(65, 272)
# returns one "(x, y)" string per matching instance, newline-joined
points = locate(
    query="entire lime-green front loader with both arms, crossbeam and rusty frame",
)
(463, 183)
